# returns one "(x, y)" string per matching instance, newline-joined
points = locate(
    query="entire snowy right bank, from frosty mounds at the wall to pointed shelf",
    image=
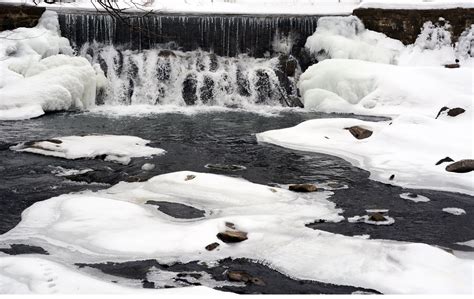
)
(409, 146)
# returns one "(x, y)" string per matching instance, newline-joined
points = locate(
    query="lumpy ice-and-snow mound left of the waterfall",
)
(39, 74)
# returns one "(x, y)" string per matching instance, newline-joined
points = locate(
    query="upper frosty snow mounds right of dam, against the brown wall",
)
(346, 37)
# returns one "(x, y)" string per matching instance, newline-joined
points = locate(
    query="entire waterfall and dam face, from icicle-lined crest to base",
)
(216, 60)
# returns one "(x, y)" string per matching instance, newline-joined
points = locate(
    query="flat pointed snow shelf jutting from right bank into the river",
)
(407, 147)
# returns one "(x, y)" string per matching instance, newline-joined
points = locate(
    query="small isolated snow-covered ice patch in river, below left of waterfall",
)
(116, 148)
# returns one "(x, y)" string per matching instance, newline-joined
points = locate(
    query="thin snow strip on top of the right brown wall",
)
(416, 4)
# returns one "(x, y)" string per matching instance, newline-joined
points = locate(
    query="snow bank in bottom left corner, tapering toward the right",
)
(35, 275)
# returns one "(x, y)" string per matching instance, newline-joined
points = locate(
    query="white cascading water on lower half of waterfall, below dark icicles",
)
(160, 77)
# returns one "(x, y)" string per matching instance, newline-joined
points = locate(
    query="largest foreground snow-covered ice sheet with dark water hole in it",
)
(115, 224)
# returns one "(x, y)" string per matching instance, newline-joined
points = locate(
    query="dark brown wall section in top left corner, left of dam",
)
(12, 17)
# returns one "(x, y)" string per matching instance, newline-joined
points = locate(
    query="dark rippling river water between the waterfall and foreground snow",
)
(192, 141)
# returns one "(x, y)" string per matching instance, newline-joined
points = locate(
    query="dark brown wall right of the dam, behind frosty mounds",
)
(405, 25)
